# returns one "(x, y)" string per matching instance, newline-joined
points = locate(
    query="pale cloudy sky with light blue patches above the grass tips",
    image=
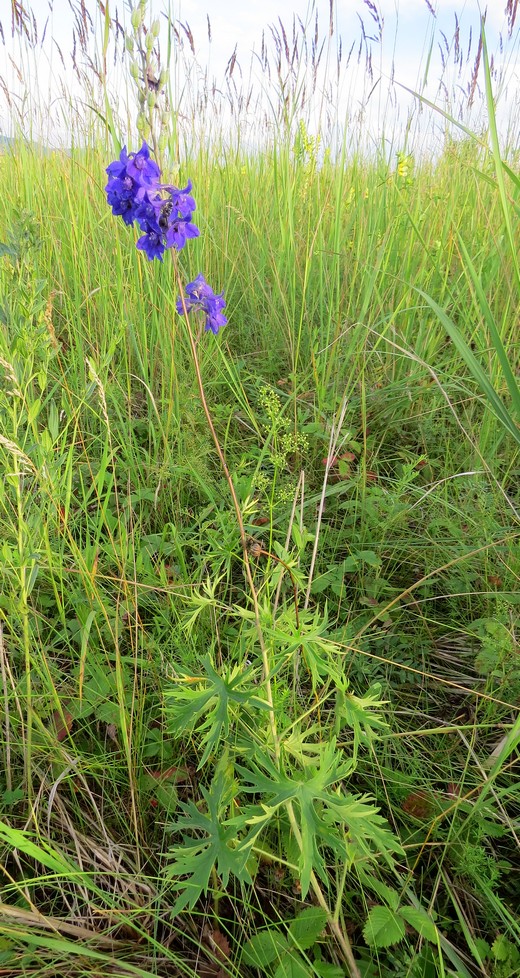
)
(404, 39)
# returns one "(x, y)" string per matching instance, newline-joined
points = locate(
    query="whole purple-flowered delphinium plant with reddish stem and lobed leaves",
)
(294, 776)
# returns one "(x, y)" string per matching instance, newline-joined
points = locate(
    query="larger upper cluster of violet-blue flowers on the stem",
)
(162, 211)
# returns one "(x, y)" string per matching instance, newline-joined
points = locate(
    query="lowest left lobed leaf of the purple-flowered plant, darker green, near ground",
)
(212, 843)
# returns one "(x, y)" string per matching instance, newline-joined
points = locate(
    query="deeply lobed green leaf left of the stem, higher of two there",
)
(207, 704)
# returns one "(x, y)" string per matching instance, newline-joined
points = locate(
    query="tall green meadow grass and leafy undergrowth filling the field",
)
(277, 736)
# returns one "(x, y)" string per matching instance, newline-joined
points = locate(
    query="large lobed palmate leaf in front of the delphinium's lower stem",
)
(346, 823)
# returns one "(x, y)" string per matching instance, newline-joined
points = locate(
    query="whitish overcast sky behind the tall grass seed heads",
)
(400, 49)
